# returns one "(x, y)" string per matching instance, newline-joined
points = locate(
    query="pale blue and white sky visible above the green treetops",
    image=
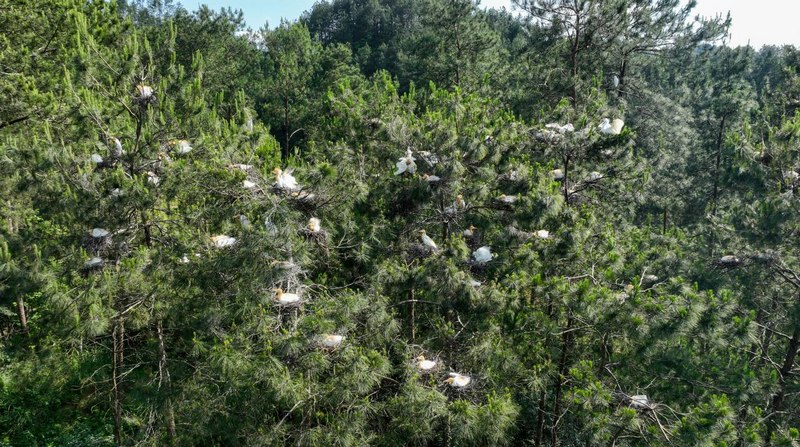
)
(759, 22)
